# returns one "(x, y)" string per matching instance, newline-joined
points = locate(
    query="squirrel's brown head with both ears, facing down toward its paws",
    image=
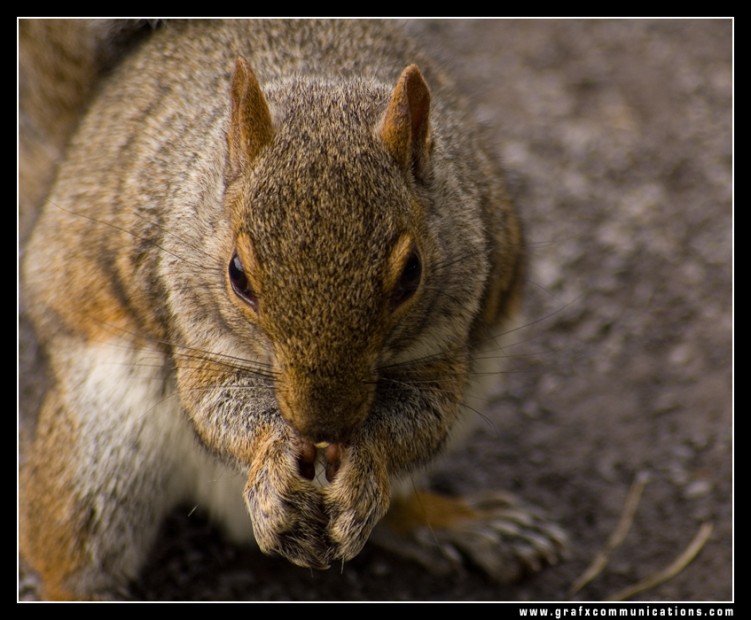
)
(331, 245)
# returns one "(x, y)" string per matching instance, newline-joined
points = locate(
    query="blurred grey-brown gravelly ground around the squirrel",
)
(617, 138)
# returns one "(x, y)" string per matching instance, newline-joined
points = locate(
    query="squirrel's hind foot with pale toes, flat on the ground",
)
(494, 532)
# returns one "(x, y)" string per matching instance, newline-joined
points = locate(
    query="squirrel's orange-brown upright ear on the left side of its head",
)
(250, 127)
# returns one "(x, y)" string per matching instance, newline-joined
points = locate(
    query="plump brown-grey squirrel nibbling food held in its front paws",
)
(266, 276)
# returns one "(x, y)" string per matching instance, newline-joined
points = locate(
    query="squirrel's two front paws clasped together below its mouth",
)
(306, 523)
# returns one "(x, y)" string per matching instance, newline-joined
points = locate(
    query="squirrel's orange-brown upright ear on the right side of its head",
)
(405, 129)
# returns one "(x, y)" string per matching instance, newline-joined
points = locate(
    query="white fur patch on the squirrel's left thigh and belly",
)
(128, 402)
